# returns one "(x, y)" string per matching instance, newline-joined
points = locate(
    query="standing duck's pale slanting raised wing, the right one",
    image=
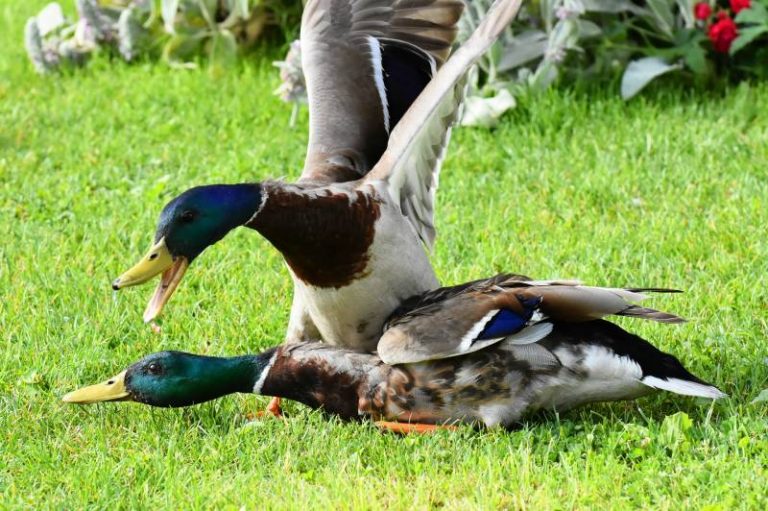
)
(411, 163)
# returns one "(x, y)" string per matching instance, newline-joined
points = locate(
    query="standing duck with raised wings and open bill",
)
(352, 229)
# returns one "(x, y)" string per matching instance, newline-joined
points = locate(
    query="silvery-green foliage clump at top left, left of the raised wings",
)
(182, 28)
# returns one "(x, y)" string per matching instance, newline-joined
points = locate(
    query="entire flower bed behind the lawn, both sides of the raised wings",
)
(567, 41)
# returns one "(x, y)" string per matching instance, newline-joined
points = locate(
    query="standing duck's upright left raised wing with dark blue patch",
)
(365, 61)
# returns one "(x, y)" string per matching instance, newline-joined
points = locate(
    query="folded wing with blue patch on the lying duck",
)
(483, 314)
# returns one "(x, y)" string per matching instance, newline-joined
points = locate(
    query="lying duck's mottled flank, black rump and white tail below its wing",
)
(576, 364)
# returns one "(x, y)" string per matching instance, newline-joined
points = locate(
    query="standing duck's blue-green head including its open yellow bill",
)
(189, 224)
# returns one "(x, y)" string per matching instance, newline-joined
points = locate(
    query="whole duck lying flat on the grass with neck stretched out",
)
(505, 347)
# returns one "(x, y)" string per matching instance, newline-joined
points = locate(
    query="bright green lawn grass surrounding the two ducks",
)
(667, 190)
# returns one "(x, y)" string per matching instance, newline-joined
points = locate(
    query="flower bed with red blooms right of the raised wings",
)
(600, 40)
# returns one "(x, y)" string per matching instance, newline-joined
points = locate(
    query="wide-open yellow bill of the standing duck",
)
(157, 261)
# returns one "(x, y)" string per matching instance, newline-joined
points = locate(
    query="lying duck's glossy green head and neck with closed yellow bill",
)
(174, 378)
